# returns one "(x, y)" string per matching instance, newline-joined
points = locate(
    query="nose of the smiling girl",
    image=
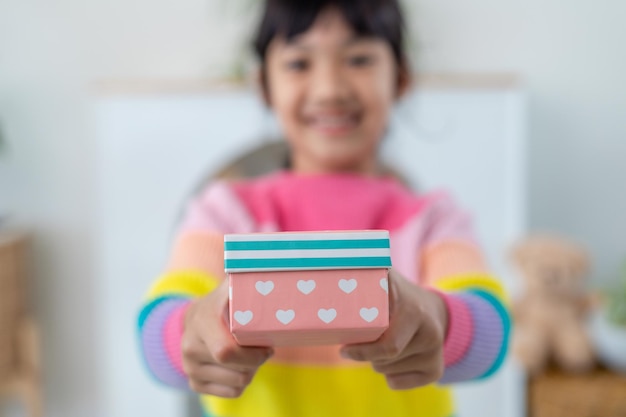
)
(329, 84)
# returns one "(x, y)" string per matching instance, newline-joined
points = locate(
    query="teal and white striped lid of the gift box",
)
(292, 251)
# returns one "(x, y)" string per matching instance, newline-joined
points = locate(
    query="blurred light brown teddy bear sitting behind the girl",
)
(550, 313)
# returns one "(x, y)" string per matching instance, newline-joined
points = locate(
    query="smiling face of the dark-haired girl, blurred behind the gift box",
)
(332, 93)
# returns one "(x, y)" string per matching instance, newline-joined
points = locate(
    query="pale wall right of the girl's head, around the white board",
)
(571, 57)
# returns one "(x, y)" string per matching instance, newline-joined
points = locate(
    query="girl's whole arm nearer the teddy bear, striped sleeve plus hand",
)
(451, 327)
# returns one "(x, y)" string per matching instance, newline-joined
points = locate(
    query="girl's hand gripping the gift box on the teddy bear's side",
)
(410, 352)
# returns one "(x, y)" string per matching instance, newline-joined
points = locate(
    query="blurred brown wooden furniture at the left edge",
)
(19, 353)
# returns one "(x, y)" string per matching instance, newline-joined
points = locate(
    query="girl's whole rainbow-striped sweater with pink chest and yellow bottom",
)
(431, 245)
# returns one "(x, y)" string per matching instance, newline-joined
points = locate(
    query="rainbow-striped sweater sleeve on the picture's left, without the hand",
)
(195, 268)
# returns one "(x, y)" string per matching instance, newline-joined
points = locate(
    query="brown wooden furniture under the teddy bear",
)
(600, 393)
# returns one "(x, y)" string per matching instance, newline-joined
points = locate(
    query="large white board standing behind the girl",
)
(154, 149)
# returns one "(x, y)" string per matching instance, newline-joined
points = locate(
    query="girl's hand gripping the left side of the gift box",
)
(213, 361)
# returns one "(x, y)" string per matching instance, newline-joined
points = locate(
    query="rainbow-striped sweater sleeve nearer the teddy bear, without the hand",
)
(478, 328)
